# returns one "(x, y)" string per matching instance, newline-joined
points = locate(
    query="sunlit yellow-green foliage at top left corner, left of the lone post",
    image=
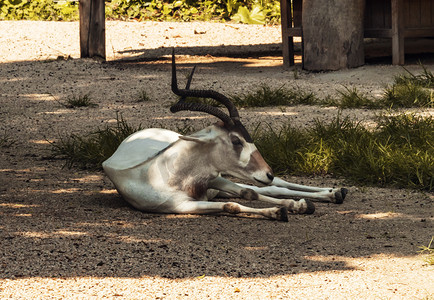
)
(38, 10)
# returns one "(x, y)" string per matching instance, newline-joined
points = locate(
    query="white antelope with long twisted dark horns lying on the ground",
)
(161, 171)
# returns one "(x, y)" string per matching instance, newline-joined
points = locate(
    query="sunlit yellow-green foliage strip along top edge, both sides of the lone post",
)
(246, 11)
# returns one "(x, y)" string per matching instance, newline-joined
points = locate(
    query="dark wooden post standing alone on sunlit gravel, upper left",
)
(92, 28)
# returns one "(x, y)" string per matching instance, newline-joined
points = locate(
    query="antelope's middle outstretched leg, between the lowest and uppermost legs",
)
(229, 189)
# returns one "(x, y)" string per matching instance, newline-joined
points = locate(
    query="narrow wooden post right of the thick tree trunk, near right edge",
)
(397, 33)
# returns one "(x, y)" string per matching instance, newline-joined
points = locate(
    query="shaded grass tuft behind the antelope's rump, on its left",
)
(89, 151)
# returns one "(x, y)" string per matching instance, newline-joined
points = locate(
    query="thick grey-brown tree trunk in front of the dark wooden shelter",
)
(333, 34)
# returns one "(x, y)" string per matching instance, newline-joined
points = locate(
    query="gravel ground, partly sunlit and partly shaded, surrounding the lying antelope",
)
(66, 233)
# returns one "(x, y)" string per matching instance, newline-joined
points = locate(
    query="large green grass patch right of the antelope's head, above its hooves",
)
(399, 152)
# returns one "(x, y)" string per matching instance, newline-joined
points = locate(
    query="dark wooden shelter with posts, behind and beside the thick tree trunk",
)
(394, 19)
